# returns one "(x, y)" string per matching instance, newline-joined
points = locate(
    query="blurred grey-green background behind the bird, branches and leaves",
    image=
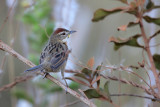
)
(26, 24)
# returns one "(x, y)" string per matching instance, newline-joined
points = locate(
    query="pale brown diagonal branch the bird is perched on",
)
(6, 48)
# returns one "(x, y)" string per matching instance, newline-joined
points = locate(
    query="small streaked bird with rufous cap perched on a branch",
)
(54, 56)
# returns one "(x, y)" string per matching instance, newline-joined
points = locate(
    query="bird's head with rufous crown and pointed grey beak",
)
(61, 33)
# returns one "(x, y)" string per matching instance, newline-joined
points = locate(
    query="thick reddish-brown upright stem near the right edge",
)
(146, 42)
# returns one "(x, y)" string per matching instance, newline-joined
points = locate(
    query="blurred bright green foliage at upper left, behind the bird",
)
(38, 18)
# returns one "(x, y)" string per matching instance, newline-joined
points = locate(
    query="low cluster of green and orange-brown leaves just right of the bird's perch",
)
(91, 78)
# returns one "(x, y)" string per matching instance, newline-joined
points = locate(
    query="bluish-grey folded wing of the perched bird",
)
(58, 60)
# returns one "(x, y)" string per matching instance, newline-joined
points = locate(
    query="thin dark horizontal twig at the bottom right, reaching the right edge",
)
(133, 95)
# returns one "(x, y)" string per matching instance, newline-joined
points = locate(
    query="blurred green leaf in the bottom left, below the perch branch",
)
(21, 94)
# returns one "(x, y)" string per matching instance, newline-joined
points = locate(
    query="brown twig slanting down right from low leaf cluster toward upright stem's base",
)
(128, 82)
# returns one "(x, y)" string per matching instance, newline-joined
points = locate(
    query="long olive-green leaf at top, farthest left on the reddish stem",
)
(102, 13)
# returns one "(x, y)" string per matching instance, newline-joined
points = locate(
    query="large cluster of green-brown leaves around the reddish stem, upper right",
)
(136, 8)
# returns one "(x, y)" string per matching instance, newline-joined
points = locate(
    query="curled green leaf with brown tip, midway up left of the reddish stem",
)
(131, 41)
